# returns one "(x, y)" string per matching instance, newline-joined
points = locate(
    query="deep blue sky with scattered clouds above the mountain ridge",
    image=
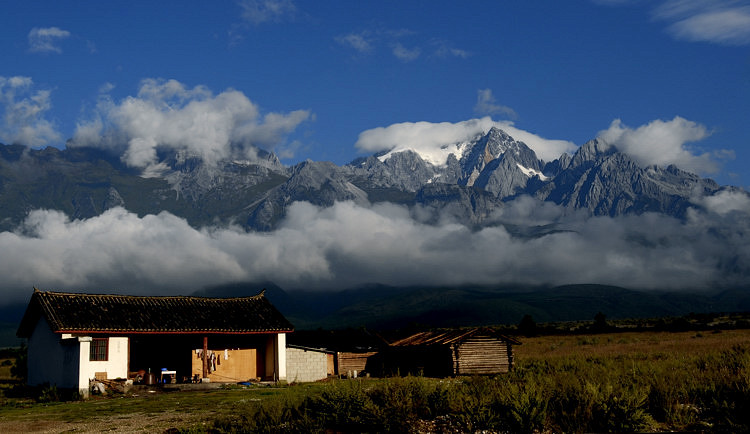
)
(319, 74)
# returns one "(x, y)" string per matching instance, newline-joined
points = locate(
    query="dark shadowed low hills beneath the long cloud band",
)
(381, 307)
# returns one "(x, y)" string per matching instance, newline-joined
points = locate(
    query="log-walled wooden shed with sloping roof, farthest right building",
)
(451, 353)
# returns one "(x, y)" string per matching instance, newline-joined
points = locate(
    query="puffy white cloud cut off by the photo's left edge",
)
(23, 109)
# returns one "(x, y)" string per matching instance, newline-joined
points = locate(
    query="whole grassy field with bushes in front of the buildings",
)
(619, 382)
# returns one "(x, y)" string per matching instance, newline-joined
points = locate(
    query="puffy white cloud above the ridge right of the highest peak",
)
(663, 143)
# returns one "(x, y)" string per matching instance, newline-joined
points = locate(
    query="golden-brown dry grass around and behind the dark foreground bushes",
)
(549, 367)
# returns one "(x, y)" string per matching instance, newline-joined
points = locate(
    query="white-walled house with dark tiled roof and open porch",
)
(74, 338)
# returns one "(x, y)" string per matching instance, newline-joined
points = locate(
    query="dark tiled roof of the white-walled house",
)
(98, 313)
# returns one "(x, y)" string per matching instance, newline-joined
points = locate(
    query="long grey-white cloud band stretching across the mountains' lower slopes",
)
(347, 245)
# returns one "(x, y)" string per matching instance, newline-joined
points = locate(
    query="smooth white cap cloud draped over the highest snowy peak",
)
(434, 139)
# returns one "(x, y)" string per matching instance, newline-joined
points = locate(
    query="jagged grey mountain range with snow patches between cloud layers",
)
(467, 180)
